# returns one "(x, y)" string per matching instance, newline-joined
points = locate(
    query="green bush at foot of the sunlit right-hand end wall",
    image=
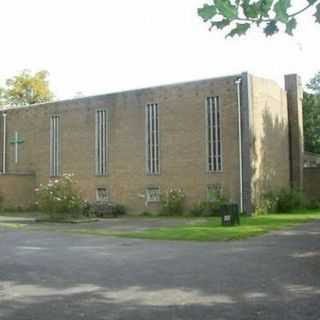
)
(282, 201)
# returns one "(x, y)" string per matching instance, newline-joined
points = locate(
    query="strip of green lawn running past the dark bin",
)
(213, 231)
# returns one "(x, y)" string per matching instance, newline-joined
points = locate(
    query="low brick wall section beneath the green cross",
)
(17, 190)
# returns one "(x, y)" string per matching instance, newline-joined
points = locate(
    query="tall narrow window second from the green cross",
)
(101, 142)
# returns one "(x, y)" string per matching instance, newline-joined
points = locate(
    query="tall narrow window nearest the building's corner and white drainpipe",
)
(214, 143)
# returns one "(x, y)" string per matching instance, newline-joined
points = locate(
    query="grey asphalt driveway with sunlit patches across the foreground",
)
(57, 276)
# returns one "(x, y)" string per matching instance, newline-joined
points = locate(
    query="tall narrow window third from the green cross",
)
(152, 139)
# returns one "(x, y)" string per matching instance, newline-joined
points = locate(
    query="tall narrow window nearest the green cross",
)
(55, 146)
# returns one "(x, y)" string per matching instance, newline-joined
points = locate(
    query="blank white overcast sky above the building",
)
(101, 46)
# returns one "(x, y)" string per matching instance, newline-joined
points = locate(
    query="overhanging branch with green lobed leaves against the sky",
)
(238, 16)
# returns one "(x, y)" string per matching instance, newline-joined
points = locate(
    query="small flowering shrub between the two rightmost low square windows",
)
(172, 202)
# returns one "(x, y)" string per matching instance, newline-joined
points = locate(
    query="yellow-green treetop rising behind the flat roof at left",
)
(26, 89)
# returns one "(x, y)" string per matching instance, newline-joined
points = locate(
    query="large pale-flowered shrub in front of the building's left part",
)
(59, 198)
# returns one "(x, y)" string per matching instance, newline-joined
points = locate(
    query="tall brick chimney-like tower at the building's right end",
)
(294, 90)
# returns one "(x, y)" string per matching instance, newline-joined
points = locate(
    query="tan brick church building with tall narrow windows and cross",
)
(239, 135)
